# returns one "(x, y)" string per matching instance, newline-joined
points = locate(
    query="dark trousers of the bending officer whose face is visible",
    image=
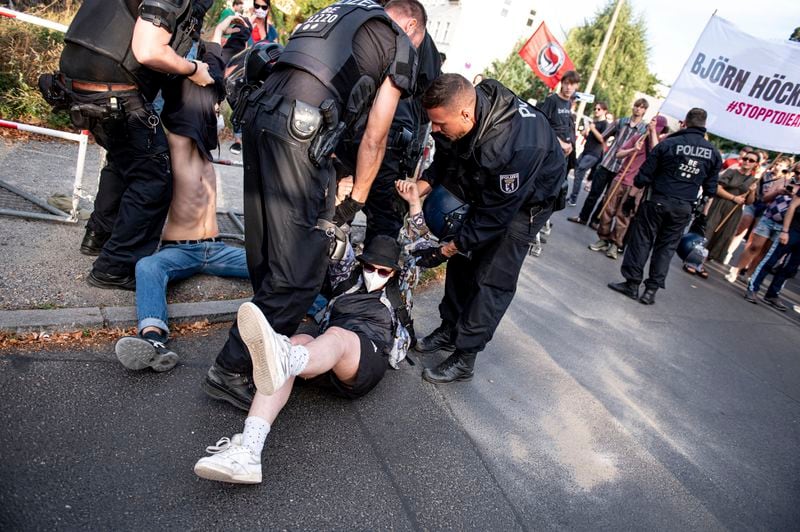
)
(479, 289)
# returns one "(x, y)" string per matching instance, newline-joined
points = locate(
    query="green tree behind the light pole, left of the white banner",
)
(624, 68)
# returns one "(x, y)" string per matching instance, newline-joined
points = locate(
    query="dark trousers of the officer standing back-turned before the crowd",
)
(657, 227)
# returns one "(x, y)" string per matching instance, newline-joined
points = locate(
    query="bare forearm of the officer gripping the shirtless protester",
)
(150, 46)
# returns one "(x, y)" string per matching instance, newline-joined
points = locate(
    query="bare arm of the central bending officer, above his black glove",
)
(373, 143)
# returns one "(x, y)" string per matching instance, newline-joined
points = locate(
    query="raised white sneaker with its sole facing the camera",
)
(269, 350)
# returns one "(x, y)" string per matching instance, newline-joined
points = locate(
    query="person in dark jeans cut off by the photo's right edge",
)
(788, 244)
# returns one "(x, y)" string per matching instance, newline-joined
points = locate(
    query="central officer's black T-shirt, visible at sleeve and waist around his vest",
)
(374, 48)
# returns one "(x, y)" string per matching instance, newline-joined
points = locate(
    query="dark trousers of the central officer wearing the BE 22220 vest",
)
(284, 196)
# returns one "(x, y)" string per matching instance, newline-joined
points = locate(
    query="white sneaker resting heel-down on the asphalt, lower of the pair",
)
(231, 462)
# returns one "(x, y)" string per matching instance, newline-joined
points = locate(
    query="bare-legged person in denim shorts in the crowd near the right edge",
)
(772, 188)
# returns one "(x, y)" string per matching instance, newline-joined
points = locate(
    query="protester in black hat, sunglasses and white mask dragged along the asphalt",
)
(362, 333)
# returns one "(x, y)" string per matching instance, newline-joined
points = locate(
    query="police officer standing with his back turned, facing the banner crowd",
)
(674, 171)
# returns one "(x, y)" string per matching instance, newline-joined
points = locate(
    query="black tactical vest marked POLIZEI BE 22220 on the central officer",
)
(323, 47)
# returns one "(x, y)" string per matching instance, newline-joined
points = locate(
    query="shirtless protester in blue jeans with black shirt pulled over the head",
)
(189, 241)
